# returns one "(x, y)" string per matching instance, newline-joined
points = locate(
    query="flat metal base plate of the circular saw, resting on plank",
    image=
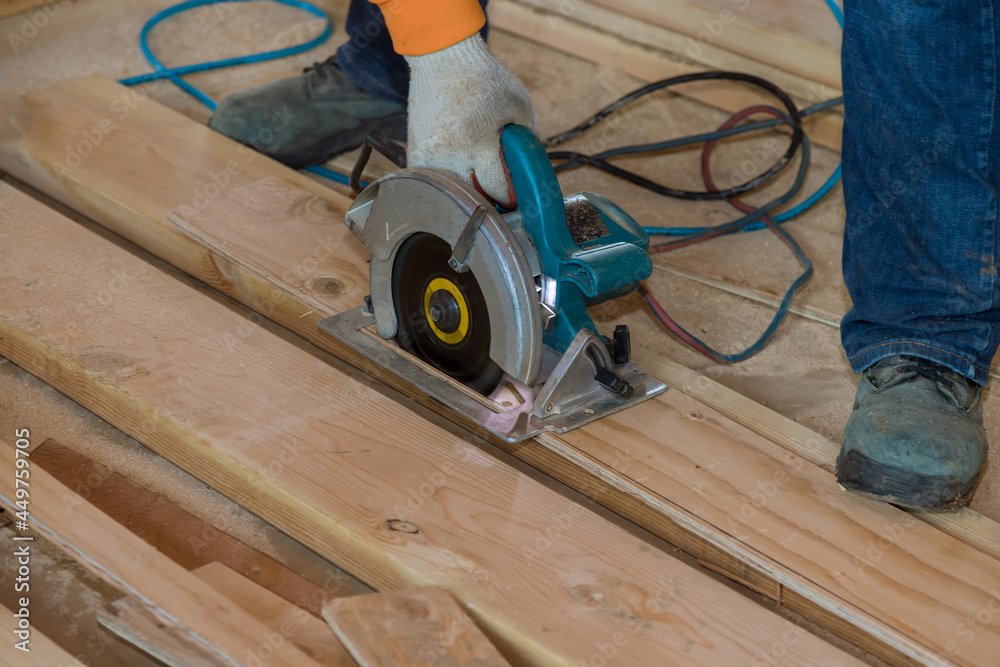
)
(511, 418)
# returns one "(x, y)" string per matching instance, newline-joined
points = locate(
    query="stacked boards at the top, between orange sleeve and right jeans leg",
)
(654, 39)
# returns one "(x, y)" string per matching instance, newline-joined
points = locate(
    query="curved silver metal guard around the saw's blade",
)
(434, 201)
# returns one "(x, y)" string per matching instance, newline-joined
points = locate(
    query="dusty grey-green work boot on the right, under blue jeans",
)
(916, 435)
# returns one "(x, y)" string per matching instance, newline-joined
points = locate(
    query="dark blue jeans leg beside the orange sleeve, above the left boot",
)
(368, 58)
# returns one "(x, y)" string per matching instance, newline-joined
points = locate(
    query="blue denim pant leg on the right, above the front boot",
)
(921, 158)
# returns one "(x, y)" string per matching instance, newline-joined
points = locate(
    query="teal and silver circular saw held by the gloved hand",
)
(487, 306)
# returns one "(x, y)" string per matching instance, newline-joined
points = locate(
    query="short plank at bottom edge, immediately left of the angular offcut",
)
(286, 621)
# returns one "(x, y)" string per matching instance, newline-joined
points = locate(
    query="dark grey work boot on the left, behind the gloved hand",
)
(307, 119)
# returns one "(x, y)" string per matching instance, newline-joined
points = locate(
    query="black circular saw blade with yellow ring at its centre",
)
(442, 314)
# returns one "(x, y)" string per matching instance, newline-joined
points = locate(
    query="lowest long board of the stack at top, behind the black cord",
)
(643, 62)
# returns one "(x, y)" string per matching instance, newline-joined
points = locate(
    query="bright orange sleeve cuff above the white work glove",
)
(419, 27)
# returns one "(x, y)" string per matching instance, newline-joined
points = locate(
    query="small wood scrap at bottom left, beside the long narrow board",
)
(135, 624)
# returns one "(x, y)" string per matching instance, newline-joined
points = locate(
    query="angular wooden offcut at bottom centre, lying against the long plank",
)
(412, 626)
